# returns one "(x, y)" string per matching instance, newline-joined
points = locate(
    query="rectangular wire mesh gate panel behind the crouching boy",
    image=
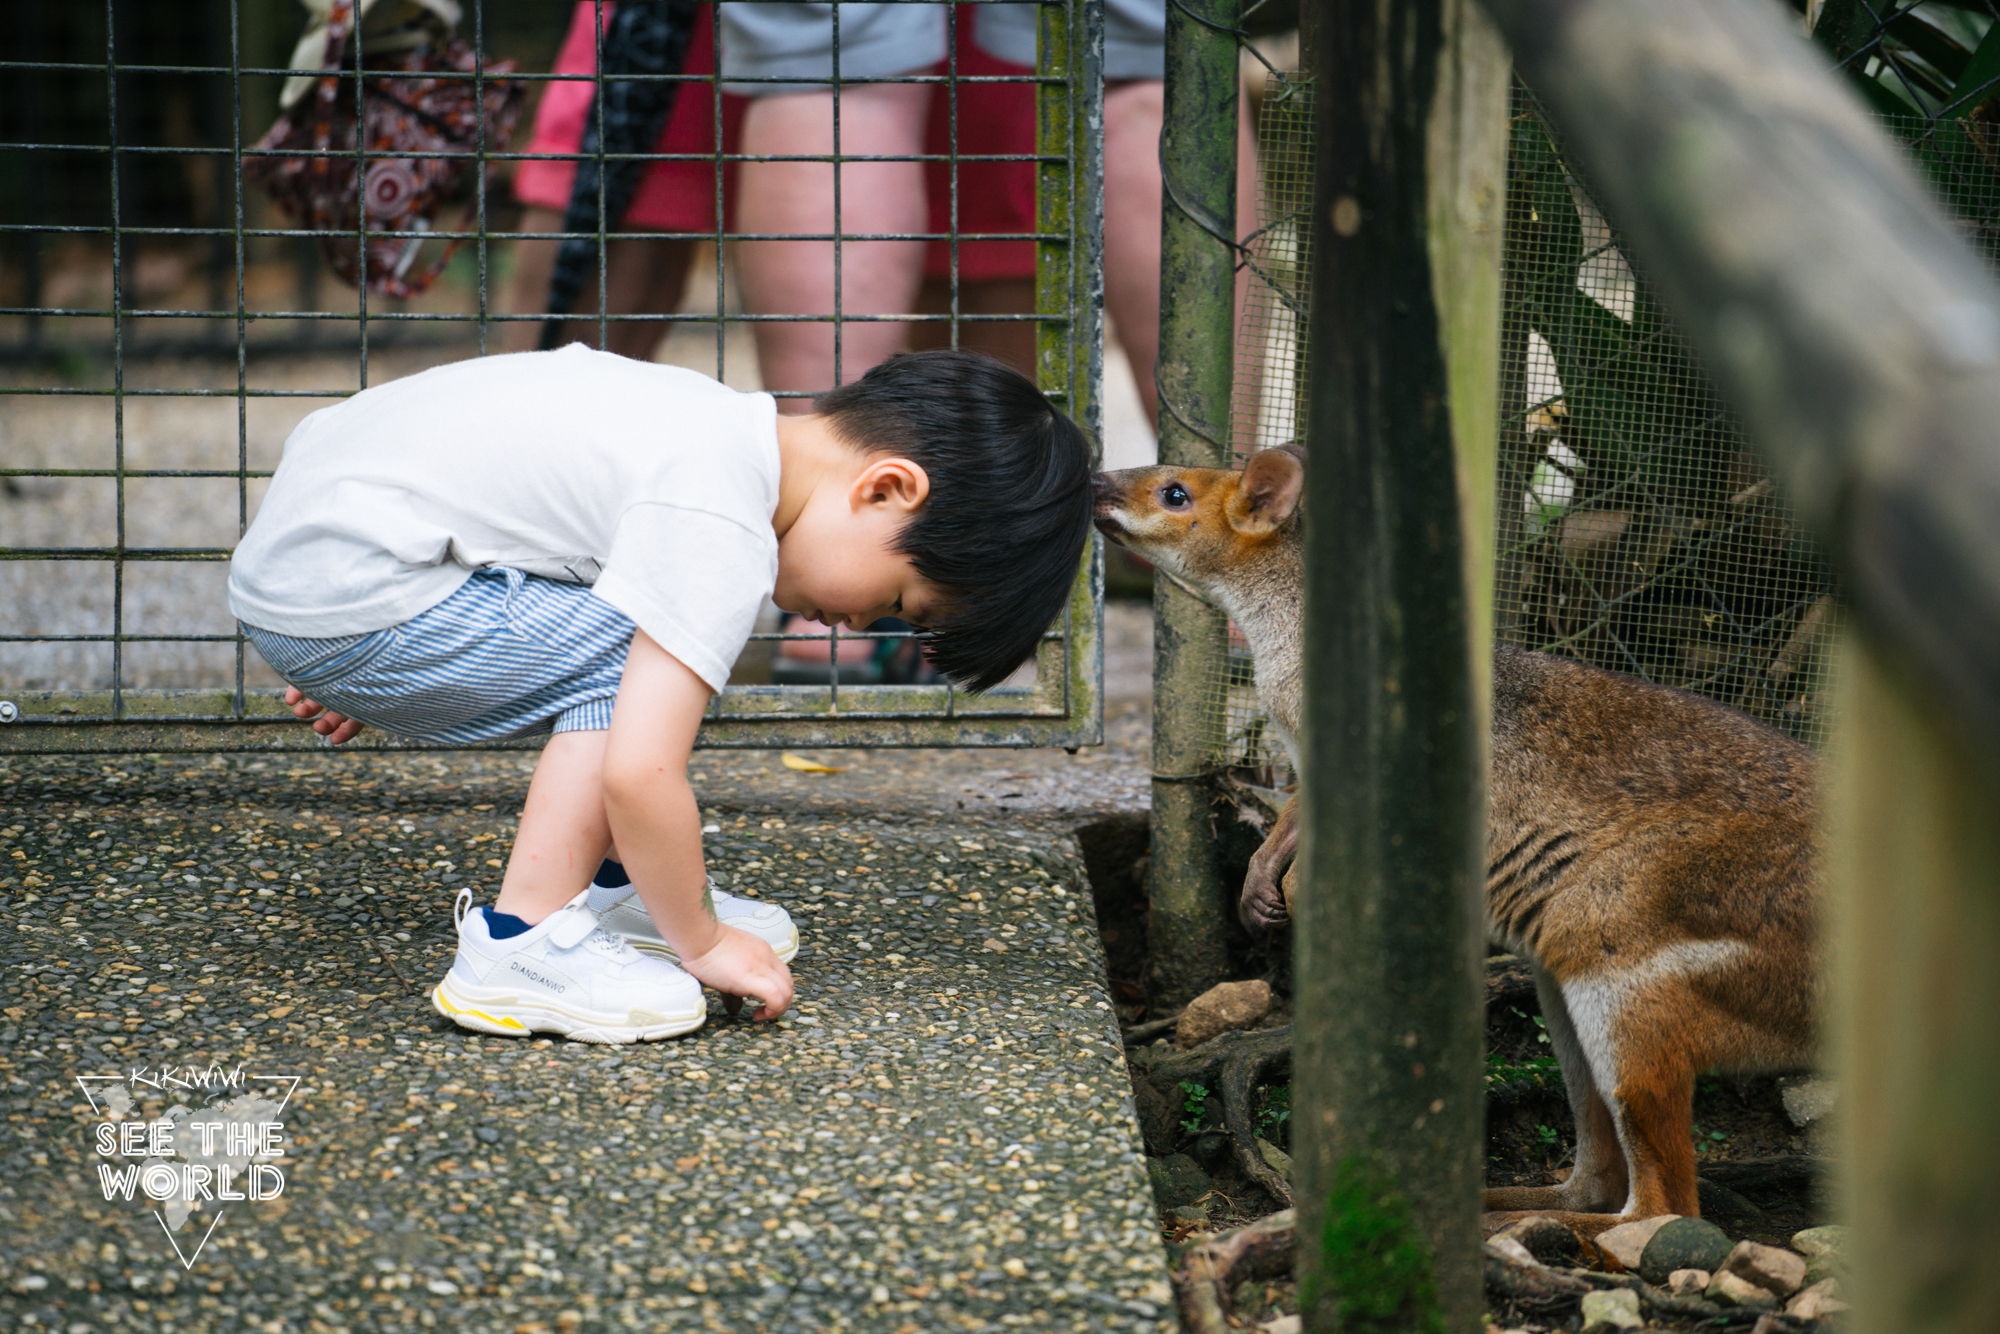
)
(209, 235)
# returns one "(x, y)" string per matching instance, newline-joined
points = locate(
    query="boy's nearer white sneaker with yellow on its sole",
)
(565, 975)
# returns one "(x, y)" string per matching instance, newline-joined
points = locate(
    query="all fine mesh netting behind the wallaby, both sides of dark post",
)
(1637, 529)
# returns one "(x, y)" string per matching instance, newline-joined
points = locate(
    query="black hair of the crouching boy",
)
(1009, 507)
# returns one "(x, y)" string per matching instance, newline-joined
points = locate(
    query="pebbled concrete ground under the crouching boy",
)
(939, 1139)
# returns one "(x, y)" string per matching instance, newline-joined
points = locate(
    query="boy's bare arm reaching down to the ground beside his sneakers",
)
(659, 833)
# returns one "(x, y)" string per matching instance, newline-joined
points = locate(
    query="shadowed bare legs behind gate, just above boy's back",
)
(647, 277)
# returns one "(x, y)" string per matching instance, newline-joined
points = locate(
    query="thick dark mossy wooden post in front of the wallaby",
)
(1399, 603)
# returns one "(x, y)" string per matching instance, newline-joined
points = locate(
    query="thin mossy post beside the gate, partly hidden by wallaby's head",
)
(1197, 351)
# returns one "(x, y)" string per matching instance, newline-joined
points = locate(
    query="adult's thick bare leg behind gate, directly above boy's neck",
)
(785, 277)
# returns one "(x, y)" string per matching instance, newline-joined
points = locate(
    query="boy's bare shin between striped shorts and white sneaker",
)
(563, 829)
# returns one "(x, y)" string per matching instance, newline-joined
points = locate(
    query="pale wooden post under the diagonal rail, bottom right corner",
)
(1915, 849)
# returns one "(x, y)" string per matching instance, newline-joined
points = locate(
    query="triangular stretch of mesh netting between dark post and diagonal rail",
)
(1637, 527)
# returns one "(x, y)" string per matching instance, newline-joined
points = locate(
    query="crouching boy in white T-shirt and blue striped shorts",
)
(577, 545)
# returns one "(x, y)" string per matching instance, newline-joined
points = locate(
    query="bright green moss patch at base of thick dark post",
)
(1377, 1267)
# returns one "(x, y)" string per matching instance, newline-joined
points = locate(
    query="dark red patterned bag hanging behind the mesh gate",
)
(407, 111)
